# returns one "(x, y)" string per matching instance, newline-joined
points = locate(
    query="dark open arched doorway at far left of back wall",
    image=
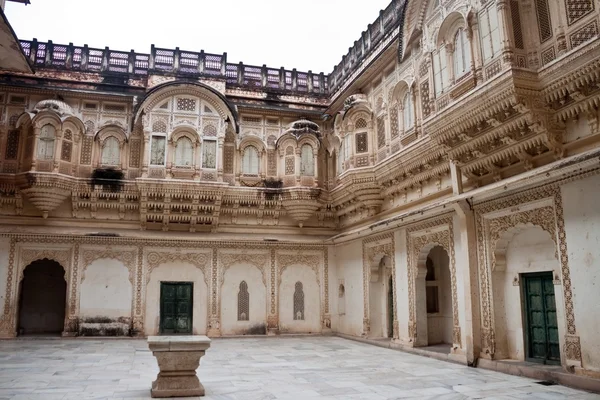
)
(42, 299)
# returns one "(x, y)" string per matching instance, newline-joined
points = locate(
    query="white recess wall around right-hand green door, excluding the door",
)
(530, 250)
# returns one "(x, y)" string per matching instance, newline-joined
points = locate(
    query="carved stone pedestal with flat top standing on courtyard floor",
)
(178, 358)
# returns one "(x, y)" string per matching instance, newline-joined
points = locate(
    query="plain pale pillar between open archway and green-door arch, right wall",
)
(465, 230)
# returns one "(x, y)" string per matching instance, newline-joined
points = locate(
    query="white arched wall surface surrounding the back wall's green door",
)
(176, 271)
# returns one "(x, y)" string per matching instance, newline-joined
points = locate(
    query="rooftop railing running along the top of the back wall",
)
(172, 61)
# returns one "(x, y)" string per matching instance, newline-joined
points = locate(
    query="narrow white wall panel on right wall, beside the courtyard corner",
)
(349, 269)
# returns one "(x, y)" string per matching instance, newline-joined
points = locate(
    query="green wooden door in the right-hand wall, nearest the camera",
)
(542, 325)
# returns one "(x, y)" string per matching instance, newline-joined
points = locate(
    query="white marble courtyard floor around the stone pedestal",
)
(255, 369)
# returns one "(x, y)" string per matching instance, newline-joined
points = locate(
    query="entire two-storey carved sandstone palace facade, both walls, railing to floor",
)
(439, 187)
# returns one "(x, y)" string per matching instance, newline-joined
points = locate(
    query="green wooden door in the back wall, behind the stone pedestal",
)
(176, 307)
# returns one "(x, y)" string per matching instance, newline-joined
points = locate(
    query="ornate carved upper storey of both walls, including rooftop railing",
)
(436, 98)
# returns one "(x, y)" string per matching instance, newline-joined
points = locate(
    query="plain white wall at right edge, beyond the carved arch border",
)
(582, 226)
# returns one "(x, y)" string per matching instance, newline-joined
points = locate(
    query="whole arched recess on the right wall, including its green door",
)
(526, 305)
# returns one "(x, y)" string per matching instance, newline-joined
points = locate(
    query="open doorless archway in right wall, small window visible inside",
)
(434, 300)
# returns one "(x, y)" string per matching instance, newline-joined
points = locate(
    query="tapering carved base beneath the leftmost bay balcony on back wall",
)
(46, 191)
